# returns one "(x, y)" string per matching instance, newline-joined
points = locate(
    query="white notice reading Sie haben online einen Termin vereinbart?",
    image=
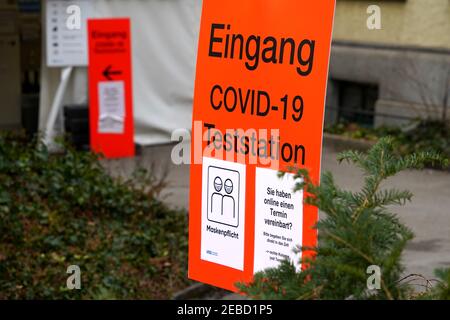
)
(278, 220)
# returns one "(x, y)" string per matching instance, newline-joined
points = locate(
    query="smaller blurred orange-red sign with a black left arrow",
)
(110, 88)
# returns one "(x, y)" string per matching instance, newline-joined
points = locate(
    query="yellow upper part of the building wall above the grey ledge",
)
(424, 23)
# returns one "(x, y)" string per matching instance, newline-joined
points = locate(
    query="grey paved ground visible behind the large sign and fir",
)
(428, 215)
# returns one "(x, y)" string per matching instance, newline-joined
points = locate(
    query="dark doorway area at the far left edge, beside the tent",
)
(20, 60)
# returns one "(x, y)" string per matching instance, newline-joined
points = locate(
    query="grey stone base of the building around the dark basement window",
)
(412, 84)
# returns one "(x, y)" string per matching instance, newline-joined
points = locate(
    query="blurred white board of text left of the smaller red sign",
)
(66, 32)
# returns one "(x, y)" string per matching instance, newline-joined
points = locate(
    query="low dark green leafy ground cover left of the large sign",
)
(65, 209)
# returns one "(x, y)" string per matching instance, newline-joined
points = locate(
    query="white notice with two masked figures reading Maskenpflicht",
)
(223, 213)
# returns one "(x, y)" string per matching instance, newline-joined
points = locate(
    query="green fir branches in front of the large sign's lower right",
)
(357, 231)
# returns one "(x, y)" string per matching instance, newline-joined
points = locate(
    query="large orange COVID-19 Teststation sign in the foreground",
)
(258, 109)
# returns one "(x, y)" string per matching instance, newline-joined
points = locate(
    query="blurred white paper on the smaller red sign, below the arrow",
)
(112, 107)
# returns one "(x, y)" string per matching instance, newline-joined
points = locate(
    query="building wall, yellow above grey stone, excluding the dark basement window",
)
(409, 59)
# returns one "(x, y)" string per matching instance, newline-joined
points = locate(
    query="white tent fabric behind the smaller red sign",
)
(164, 45)
